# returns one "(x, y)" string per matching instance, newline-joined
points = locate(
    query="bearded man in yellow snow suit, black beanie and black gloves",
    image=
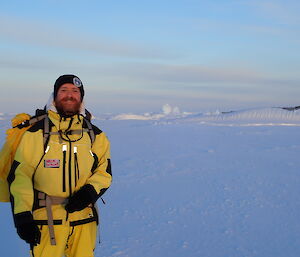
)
(61, 167)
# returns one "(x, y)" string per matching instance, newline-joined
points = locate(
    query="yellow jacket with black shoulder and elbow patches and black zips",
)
(69, 162)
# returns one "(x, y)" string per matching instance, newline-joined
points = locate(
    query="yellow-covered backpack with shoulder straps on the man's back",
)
(20, 124)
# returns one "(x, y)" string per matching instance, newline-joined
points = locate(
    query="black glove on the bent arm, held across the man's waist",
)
(81, 199)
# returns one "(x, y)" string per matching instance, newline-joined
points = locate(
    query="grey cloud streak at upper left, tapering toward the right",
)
(49, 36)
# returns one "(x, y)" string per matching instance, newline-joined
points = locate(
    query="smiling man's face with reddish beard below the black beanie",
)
(68, 99)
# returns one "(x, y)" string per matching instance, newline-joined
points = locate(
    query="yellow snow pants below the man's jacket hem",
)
(71, 241)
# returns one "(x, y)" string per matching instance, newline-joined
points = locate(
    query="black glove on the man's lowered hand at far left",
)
(26, 228)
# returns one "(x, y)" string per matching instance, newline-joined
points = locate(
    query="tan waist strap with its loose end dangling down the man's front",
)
(47, 201)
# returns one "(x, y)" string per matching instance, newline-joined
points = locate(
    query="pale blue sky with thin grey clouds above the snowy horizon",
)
(136, 56)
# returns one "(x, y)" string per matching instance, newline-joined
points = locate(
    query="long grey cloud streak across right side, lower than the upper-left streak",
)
(196, 74)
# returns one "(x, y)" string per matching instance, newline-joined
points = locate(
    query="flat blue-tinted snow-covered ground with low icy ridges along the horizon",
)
(196, 185)
